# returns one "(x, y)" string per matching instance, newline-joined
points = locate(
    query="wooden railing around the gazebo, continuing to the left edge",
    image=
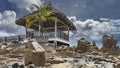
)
(34, 34)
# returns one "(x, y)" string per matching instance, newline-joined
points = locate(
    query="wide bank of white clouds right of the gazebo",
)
(94, 30)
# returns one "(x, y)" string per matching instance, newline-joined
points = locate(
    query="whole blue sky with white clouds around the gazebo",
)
(92, 18)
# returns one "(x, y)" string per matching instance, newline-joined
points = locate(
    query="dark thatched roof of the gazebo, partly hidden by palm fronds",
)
(48, 24)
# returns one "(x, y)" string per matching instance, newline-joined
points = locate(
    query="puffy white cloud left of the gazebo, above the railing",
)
(8, 26)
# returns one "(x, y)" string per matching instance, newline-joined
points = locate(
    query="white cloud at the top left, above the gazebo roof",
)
(26, 4)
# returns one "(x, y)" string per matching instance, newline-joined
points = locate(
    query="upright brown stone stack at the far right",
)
(110, 44)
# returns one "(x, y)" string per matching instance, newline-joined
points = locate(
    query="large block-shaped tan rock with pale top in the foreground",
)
(35, 54)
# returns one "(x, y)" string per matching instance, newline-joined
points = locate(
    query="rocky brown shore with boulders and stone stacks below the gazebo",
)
(33, 55)
